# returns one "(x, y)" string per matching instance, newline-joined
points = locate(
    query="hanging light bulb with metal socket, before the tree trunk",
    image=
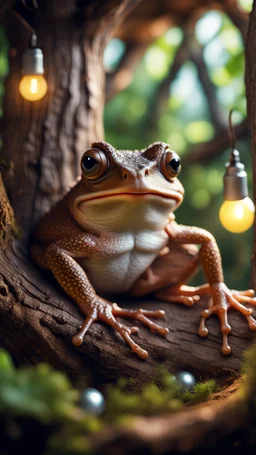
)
(33, 85)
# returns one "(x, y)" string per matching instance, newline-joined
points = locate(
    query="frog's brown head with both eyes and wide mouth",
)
(127, 184)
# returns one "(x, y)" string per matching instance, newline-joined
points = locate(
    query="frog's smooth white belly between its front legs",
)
(133, 253)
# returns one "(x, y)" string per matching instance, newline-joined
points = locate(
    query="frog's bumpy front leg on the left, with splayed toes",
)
(73, 279)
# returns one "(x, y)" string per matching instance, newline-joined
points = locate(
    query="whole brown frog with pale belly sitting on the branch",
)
(111, 234)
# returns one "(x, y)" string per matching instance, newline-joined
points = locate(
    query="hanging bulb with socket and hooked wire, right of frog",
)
(237, 211)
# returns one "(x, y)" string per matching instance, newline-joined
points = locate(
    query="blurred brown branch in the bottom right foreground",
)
(200, 429)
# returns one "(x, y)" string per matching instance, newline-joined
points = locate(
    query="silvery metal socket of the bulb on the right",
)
(235, 179)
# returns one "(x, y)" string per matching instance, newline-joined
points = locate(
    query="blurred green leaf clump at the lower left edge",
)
(39, 392)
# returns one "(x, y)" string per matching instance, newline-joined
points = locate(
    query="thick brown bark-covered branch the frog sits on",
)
(38, 322)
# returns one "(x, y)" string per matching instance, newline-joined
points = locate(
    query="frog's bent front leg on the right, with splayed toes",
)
(222, 298)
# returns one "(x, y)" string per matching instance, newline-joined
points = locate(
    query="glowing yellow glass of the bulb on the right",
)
(237, 216)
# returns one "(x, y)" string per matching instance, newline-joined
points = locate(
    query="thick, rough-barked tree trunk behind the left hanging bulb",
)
(44, 140)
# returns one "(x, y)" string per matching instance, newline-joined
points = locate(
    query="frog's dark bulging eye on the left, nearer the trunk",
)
(94, 164)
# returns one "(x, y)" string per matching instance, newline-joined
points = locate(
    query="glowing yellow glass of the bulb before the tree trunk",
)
(33, 87)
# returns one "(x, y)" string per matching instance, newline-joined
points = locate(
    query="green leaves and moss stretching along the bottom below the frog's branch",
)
(41, 400)
